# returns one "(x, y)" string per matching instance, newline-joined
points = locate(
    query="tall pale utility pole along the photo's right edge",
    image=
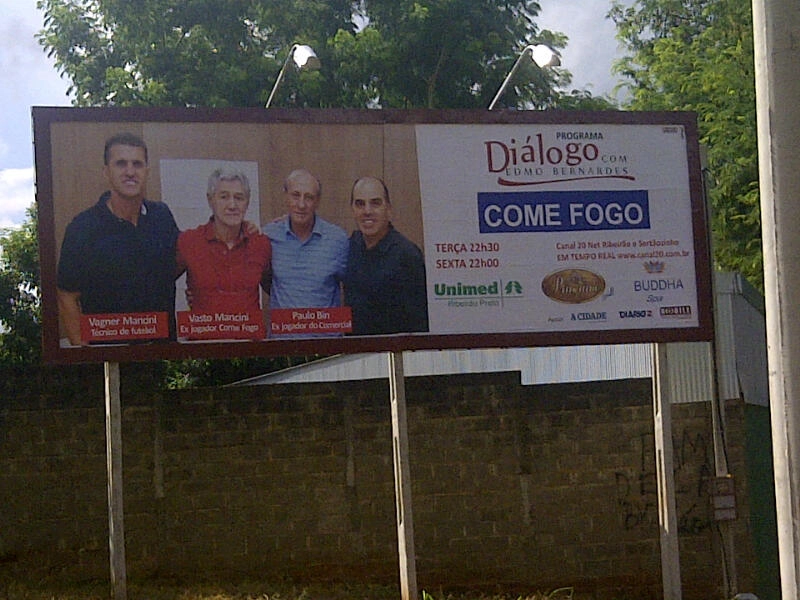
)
(776, 24)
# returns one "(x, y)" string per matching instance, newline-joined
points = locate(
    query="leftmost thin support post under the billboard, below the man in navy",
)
(116, 532)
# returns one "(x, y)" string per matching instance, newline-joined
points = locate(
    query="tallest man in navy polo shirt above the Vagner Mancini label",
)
(119, 255)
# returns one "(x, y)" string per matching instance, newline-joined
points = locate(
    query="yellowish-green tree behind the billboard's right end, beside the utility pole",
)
(697, 55)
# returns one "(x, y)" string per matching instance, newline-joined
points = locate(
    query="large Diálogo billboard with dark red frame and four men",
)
(174, 233)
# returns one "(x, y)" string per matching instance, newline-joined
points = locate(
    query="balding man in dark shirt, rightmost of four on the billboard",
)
(384, 283)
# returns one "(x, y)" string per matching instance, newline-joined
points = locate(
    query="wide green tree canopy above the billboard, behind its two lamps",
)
(381, 53)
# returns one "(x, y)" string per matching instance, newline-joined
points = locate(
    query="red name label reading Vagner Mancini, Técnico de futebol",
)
(124, 327)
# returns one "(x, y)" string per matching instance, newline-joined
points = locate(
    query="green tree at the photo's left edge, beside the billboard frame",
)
(20, 329)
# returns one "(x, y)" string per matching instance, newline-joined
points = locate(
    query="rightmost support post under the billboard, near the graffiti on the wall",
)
(665, 477)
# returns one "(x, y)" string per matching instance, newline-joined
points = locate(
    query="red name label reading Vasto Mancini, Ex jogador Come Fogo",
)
(248, 325)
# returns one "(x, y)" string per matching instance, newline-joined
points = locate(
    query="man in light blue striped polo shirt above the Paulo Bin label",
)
(309, 254)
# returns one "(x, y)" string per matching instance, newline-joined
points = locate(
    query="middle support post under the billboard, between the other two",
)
(402, 478)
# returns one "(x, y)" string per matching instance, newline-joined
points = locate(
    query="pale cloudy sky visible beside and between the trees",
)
(29, 78)
